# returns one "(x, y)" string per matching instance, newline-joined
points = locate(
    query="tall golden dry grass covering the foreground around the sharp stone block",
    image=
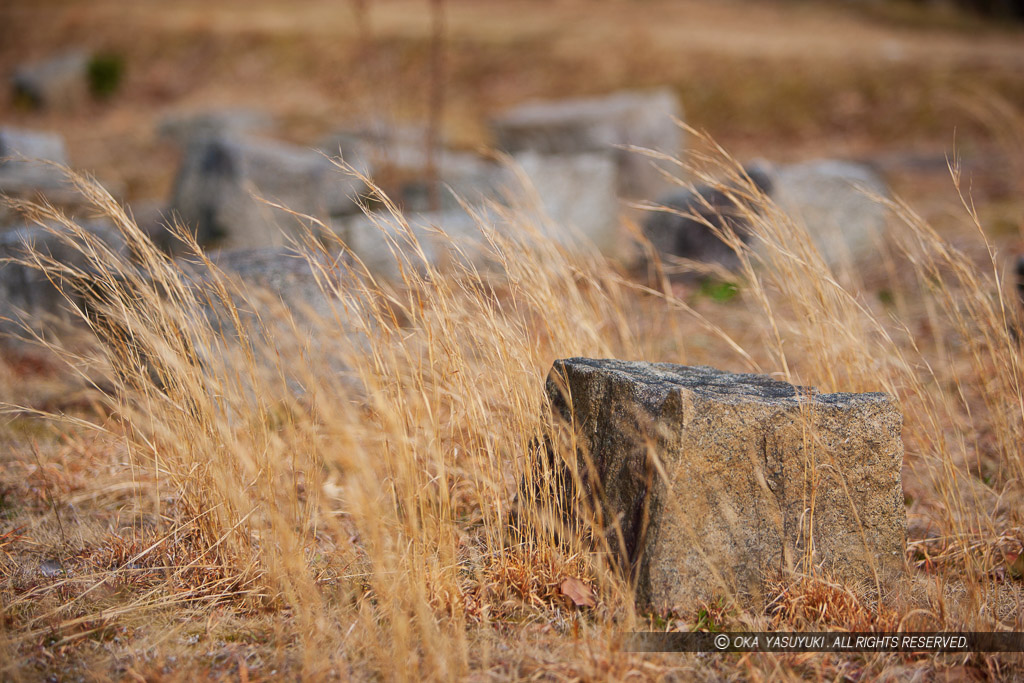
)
(240, 498)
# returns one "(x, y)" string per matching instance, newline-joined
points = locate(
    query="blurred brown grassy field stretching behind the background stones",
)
(782, 80)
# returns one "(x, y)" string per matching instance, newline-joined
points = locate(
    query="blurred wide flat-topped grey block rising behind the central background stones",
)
(604, 124)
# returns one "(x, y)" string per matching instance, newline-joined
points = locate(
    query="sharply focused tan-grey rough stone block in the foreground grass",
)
(717, 481)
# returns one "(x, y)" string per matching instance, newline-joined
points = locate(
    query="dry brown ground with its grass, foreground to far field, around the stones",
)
(218, 527)
